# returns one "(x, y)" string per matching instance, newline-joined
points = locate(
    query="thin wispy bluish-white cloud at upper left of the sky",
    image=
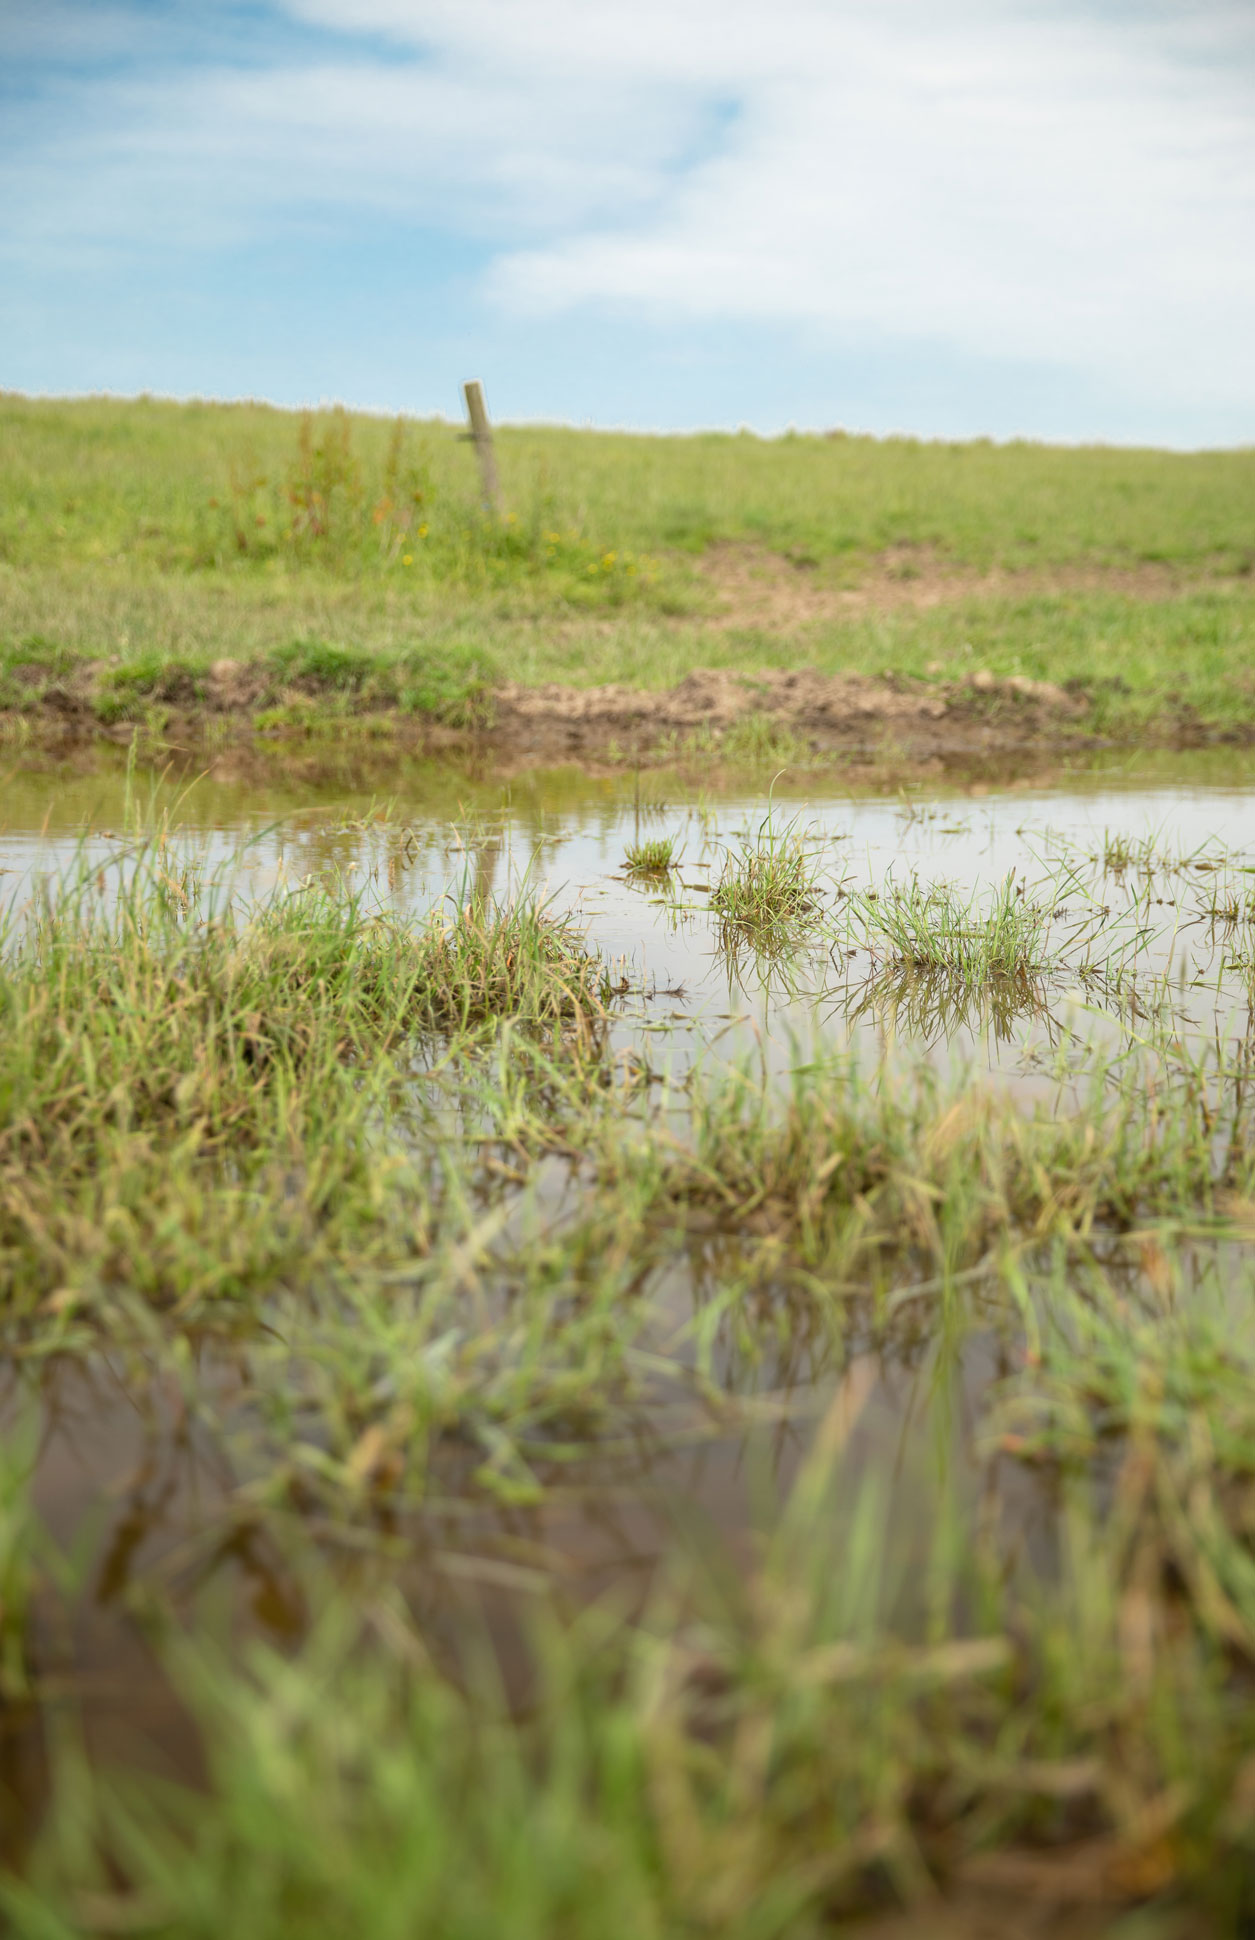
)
(210, 154)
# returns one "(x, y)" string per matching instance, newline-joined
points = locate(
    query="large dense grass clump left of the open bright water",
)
(197, 1091)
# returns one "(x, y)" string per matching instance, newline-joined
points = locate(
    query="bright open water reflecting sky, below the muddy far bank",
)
(1143, 872)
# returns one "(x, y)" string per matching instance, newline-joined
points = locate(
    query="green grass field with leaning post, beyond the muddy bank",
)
(350, 556)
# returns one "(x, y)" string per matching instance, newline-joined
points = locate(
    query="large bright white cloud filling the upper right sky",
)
(1029, 181)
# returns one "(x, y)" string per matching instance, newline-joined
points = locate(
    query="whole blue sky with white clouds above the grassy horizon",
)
(981, 218)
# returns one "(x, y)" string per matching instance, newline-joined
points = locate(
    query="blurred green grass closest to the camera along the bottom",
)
(876, 1714)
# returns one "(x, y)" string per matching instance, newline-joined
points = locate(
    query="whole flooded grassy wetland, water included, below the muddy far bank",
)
(529, 1413)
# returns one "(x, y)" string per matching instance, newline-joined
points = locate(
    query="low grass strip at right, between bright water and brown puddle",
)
(856, 1182)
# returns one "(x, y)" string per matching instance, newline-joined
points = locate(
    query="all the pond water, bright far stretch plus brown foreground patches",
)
(1142, 876)
